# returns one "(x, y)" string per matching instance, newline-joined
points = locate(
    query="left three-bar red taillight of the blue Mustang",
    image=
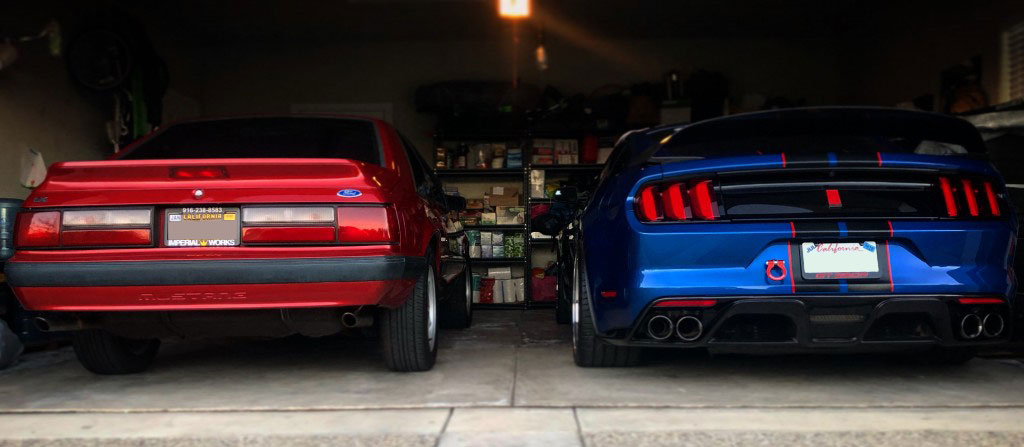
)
(677, 202)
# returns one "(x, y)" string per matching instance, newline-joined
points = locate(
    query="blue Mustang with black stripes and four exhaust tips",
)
(809, 230)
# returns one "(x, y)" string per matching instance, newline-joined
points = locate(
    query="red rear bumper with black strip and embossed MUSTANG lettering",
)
(210, 285)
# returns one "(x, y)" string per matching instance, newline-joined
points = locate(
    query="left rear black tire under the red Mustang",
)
(104, 353)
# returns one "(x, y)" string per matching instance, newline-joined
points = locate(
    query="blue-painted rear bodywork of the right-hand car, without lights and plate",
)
(644, 262)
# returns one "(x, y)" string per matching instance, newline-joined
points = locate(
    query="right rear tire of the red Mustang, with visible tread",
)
(406, 331)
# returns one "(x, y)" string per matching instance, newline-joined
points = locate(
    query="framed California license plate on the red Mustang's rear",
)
(202, 227)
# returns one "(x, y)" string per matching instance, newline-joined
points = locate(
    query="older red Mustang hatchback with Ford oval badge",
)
(259, 227)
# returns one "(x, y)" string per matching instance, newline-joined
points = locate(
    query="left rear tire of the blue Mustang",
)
(588, 349)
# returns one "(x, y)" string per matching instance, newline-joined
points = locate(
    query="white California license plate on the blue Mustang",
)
(840, 260)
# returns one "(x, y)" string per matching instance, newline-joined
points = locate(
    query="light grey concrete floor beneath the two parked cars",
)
(508, 381)
